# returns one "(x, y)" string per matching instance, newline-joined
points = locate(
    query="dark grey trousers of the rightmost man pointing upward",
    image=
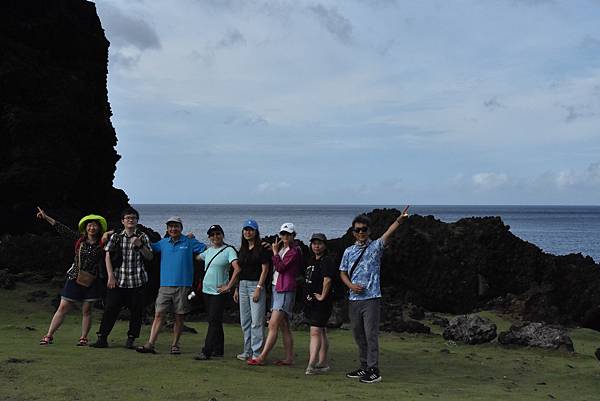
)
(364, 319)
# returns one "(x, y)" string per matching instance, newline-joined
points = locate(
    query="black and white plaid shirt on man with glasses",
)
(131, 274)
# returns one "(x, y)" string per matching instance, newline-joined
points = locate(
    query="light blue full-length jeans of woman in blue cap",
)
(252, 317)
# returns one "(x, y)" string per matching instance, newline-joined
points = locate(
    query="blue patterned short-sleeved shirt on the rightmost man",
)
(367, 272)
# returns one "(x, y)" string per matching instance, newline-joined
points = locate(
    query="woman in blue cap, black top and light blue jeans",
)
(250, 294)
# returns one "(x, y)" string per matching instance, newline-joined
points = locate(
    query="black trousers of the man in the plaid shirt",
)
(116, 299)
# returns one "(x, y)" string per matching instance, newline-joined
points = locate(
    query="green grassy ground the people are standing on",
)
(413, 367)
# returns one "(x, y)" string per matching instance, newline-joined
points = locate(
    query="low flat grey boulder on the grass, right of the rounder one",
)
(537, 335)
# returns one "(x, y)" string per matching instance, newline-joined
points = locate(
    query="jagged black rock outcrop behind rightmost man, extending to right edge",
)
(462, 266)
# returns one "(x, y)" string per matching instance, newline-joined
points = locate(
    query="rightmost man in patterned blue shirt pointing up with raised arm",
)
(360, 271)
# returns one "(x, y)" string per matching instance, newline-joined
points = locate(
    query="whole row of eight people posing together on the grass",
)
(120, 256)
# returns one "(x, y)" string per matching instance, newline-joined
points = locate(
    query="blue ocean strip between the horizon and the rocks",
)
(555, 229)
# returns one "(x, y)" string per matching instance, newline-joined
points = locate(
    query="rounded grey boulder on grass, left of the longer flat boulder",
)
(470, 329)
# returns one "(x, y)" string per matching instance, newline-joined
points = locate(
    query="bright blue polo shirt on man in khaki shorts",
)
(176, 260)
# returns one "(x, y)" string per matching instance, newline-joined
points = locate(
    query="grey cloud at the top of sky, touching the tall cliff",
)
(125, 30)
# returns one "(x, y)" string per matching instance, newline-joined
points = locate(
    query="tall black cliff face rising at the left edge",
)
(58, 142)
